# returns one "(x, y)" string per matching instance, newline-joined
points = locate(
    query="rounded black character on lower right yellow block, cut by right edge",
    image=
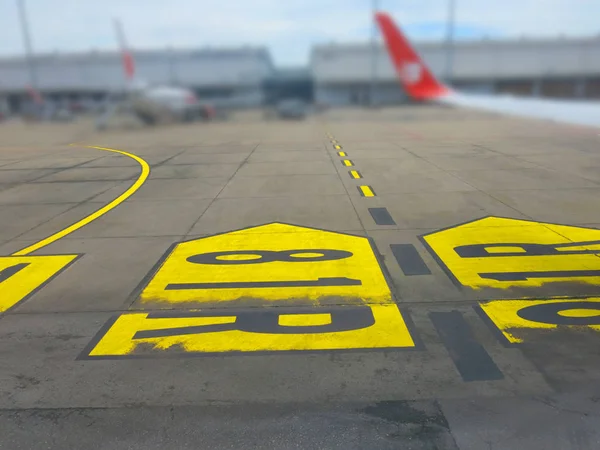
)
(550, 313)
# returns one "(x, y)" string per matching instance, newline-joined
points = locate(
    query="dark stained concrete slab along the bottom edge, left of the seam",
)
(387, 425)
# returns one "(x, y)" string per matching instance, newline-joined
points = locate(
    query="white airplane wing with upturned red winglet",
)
(421, 85)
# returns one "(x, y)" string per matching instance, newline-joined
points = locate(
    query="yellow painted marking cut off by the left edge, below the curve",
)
(20, 276)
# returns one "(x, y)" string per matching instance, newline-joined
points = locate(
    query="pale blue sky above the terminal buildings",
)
(289, 28)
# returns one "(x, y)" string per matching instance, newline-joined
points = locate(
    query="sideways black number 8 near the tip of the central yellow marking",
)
(265, 256)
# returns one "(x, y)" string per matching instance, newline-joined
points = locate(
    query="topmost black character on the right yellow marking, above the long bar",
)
(481, 250)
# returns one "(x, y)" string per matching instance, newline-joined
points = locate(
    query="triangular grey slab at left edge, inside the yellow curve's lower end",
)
(16, 220)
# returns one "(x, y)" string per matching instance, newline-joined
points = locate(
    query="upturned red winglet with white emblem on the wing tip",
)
(414, 75)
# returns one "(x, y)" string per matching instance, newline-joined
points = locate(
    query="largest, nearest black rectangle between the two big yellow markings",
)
(470, 358)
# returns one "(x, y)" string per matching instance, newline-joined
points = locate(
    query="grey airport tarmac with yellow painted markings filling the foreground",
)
(414, 278)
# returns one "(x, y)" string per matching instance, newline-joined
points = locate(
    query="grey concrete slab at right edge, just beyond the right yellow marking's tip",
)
(569, 206)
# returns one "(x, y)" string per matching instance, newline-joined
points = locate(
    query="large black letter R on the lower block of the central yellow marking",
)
(267, 322)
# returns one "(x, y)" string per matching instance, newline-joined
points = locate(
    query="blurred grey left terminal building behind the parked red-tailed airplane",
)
(230, 76)
